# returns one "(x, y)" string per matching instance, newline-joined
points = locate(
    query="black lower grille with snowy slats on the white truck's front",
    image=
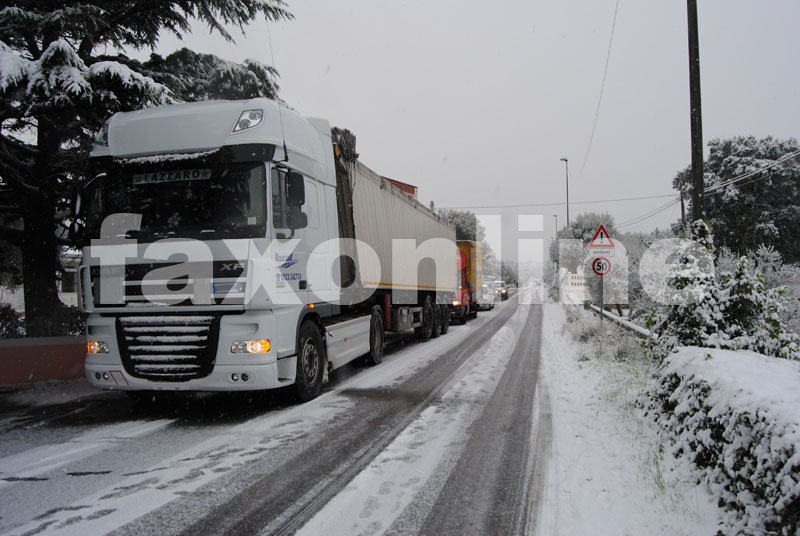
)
(168, 348)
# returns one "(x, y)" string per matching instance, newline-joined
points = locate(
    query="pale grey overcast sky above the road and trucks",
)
(476, 102)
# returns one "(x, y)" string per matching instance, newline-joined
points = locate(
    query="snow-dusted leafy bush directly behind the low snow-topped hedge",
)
(734, 312)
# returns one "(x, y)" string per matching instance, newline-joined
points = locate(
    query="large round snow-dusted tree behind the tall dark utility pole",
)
(763, 208)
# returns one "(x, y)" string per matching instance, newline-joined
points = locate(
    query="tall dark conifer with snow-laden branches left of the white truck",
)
(57, 86)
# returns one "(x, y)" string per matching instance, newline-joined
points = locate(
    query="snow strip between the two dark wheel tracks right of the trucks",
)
(429, 446)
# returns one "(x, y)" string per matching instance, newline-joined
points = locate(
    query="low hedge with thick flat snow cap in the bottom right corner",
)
(736, 416)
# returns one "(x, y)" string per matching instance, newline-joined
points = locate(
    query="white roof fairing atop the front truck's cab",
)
(200, 127)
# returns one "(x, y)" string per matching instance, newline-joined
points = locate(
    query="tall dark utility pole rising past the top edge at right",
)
(696, 114)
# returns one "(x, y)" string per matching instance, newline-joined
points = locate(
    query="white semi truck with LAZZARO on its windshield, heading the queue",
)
(235, 245)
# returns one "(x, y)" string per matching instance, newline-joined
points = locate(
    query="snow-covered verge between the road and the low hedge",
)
(608, 473)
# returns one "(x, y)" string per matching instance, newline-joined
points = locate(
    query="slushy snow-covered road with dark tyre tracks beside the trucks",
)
(403, 447)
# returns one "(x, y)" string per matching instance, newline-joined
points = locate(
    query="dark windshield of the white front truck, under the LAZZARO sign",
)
(203, 202)
